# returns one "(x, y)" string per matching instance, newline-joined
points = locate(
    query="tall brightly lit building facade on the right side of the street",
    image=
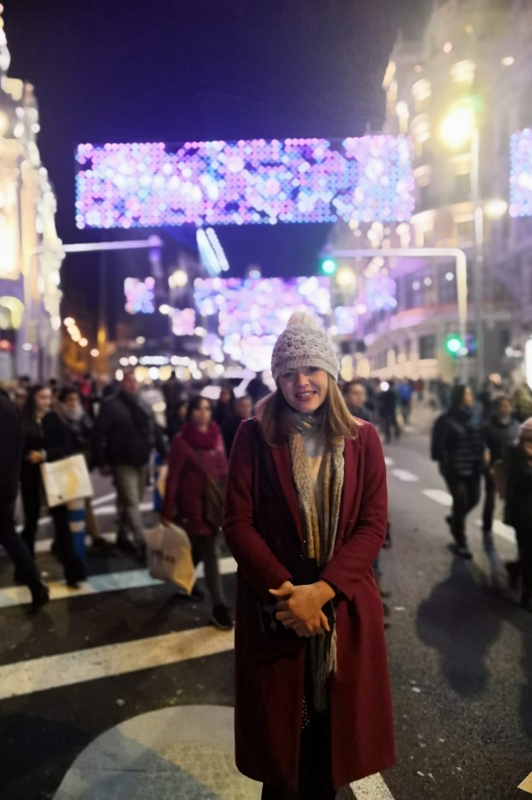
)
(459, 92)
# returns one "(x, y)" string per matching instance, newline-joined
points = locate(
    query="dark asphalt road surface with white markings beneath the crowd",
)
(131, 680)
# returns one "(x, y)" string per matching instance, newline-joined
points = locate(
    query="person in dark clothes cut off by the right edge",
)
(518, 511)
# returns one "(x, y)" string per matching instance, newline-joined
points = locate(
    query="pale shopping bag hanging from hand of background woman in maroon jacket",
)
(170, 556)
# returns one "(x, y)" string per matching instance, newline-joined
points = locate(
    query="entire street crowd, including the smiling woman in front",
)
(275, 470)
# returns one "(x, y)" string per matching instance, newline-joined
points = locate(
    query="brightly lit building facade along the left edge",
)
(30, 250)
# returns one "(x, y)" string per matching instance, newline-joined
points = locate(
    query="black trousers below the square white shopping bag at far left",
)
(31, 501)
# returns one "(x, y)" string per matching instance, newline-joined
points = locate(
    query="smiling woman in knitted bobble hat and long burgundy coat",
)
(305, 517)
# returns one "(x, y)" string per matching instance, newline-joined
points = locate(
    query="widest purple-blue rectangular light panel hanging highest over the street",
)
(245, 182)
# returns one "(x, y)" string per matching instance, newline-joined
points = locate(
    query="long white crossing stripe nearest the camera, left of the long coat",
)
(52, 672)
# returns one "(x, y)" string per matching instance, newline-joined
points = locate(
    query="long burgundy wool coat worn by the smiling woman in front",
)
(263, 531)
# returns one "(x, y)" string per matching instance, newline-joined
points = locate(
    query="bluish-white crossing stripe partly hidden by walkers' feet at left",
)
(97, 584)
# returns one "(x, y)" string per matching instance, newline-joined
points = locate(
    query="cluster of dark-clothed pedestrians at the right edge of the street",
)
(488, 438)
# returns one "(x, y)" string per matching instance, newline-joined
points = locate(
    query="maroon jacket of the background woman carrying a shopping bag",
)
(185, 483)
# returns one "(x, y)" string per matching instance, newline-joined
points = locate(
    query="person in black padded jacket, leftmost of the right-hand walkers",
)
(457, 444)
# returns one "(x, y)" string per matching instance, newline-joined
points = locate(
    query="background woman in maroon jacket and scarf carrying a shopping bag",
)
(197, 455)
